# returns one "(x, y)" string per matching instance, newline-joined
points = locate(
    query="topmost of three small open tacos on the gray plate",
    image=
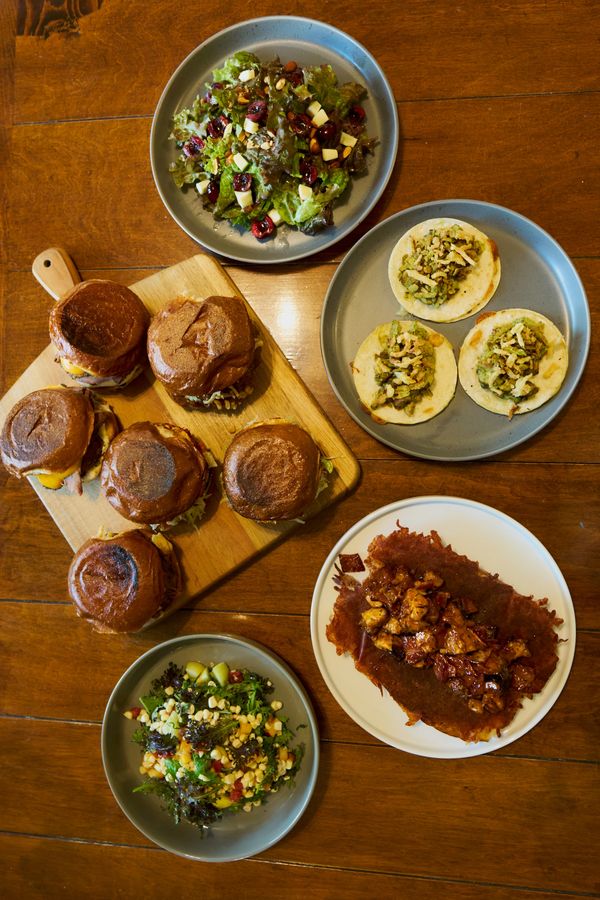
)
(443, 270)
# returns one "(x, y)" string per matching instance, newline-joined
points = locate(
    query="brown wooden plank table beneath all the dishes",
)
(497, 102)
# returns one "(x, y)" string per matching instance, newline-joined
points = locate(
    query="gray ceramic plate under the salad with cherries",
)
(309, 43)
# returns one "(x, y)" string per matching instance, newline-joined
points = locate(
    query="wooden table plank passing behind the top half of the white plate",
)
(552, 493)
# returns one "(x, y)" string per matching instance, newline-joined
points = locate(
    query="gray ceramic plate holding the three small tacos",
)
(536, 274)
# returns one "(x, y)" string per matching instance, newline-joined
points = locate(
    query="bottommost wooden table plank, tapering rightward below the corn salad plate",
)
(48, 869)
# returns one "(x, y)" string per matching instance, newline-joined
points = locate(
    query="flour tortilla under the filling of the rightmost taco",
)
(553, 365)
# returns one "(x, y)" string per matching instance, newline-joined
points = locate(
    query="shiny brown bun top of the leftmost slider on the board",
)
(48, 430)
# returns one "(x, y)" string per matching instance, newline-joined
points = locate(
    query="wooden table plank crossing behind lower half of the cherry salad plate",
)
(128, 225)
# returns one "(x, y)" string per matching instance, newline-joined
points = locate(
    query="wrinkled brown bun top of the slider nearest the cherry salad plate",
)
(198, 347)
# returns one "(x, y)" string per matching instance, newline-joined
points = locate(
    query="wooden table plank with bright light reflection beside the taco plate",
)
(290, 298)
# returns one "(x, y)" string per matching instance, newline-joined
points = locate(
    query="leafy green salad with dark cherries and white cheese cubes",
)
(272, 144)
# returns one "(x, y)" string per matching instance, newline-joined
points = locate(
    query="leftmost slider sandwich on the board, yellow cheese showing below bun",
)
(59, 434)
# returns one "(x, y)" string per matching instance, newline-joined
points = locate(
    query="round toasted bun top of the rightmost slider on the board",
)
(271, 471)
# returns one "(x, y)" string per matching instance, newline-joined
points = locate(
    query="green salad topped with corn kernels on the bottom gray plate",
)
(212, 741)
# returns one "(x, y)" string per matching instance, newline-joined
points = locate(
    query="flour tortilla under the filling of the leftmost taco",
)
(442, 388)
